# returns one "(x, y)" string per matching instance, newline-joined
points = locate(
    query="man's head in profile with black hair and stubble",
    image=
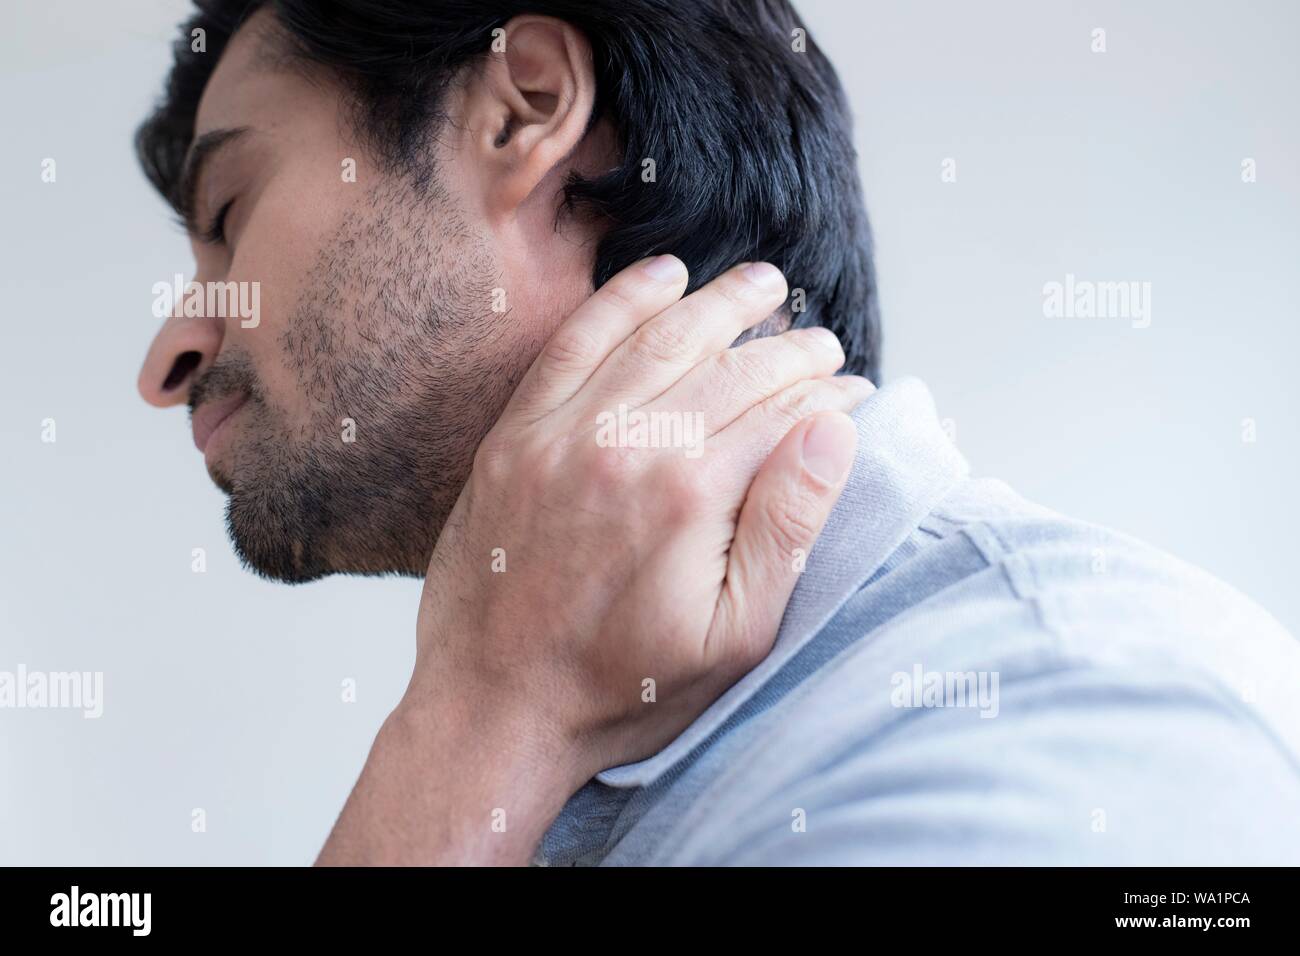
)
(424, 191)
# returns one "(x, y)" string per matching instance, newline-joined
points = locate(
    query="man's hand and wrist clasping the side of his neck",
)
(580, 570)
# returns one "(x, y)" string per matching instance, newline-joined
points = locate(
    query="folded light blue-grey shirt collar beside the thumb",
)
(904, 466)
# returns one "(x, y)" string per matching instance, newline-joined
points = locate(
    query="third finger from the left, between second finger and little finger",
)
(731, 383)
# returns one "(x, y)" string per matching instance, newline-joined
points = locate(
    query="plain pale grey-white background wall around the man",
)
(223, 693)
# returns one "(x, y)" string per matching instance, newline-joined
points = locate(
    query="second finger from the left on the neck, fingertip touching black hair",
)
(675, 341)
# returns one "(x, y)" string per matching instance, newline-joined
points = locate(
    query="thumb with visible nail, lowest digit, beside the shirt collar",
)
(783, 514)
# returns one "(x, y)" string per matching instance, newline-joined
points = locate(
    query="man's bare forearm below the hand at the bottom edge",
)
(448, 786)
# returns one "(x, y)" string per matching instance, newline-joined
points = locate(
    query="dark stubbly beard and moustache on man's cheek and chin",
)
(392, 344)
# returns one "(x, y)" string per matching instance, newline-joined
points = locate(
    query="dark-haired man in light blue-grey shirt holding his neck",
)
(473, 227)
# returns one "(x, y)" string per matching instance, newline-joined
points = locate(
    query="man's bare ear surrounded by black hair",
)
(530, 107)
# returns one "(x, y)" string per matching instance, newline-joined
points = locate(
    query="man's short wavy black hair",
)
(742, 113)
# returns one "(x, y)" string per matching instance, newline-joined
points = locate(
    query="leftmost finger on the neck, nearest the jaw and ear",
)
(592, 332)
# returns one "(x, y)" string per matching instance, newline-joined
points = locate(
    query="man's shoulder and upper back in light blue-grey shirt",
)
(1067, 695)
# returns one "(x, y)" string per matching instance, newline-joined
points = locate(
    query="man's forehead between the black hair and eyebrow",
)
(255, 85)
